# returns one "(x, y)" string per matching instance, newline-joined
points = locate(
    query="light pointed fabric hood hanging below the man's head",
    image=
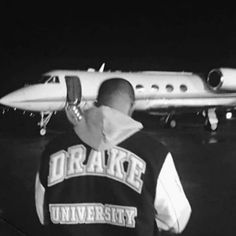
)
(103, 127)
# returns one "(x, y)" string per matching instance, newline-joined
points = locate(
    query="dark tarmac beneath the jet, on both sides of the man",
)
(206, 164)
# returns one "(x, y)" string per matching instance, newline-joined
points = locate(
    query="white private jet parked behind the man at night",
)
(156, 92)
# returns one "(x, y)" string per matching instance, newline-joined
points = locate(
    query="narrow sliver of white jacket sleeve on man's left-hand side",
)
(39, 199)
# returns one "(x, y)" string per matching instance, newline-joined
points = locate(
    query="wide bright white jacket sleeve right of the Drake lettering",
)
(172, 207)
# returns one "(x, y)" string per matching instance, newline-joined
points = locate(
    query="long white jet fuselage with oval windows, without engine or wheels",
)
(153, 90)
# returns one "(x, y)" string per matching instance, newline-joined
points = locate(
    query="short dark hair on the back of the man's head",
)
(113, 88)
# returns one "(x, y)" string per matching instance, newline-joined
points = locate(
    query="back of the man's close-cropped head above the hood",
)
(117, 93)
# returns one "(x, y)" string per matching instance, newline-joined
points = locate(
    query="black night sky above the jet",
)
(37, 37)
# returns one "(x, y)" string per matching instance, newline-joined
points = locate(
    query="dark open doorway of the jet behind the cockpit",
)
(74, 90)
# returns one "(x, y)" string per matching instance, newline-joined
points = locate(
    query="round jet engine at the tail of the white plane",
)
(222, 79)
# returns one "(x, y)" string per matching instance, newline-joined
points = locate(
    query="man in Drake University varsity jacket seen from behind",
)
(107, 177)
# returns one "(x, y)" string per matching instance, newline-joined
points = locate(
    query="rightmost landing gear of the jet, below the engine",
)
(211, 120)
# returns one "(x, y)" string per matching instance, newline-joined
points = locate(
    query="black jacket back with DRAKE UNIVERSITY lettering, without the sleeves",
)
(102, 192)
